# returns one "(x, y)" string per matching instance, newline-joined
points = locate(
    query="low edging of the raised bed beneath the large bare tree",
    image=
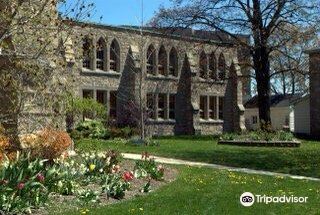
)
(260, 143)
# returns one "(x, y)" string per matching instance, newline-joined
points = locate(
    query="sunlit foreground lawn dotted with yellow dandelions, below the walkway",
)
(208, 191)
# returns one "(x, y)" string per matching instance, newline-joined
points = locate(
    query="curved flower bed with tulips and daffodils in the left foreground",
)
(28, 184)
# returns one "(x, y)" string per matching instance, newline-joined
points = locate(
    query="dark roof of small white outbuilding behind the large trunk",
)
(278, 100)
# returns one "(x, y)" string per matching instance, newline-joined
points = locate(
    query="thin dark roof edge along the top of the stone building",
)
(172, 36)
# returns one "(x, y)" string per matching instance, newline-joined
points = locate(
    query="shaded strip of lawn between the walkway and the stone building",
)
(300, 161)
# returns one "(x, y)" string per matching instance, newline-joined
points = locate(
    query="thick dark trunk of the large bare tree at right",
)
(262, 70)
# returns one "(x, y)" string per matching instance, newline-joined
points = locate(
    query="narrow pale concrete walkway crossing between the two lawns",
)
(215, 166)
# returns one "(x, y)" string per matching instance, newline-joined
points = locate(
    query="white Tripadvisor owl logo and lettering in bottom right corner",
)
(247, 199)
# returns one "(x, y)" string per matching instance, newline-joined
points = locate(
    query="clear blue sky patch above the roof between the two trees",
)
(125, 12)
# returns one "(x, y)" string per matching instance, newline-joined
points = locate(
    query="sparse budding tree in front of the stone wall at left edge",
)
(32, 41)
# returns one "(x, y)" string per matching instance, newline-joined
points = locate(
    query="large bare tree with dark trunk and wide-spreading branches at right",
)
(262, 20)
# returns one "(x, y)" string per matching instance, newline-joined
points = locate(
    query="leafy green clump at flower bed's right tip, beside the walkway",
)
(149, 166)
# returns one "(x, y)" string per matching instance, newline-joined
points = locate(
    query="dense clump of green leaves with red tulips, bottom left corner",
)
(22, 184)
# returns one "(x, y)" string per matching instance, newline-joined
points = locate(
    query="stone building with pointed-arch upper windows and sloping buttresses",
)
(188, 82)
